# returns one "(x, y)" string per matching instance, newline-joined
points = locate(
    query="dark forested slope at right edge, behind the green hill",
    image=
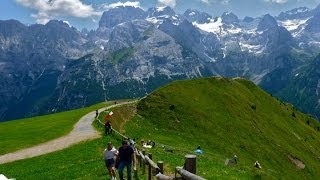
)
(299, 86)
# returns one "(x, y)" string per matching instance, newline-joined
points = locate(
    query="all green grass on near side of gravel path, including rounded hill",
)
(225, 117)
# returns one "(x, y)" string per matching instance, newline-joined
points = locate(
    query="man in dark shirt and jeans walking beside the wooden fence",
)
(126, 157)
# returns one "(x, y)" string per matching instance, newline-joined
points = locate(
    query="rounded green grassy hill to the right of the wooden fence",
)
(228, 117)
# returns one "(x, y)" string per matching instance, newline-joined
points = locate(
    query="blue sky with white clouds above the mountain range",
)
(86, 13)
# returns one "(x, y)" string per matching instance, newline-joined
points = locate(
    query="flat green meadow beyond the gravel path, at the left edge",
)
(23, 133)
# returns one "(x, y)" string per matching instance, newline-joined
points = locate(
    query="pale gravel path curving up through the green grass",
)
(83, 130)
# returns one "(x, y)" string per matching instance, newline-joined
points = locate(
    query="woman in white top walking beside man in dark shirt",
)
(109, 157)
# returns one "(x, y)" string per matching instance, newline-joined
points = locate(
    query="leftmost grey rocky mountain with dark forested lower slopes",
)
(29, 56)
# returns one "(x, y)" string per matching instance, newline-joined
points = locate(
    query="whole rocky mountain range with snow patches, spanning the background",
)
(134, 51)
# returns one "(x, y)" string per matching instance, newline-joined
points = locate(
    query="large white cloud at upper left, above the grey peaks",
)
(49, 9)
